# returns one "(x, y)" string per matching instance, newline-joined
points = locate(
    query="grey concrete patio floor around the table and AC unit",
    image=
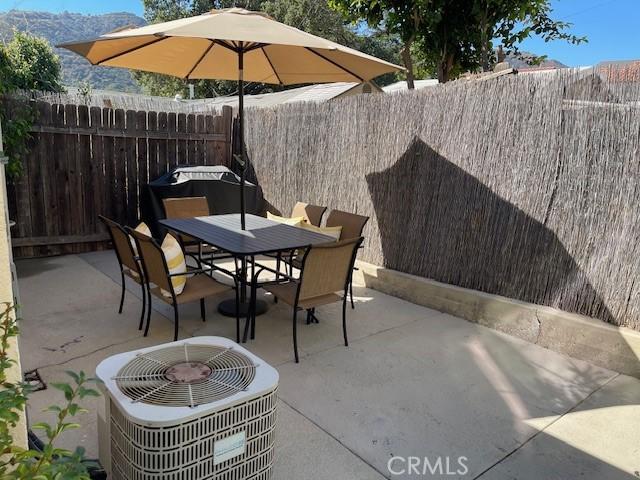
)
(413, 383)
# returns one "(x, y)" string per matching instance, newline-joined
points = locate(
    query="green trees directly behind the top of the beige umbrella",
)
(313, 16)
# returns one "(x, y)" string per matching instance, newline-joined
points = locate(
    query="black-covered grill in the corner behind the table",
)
(219, 184)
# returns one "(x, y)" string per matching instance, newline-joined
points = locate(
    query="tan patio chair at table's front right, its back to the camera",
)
(325, 270)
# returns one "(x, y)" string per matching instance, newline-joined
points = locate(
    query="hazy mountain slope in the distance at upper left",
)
(64, 27)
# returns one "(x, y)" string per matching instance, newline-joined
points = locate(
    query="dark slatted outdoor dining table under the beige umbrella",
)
(260, 236)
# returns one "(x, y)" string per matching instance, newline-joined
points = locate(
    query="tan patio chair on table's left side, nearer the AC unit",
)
(199, 285)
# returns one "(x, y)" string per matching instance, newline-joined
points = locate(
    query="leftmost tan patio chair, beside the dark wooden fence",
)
(128, 262)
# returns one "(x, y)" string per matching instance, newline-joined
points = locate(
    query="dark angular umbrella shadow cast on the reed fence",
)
(440, 222)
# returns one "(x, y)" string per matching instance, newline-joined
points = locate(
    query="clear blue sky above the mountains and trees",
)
(611, 26)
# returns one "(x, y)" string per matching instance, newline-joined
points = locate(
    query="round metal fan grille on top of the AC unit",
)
(185, 376)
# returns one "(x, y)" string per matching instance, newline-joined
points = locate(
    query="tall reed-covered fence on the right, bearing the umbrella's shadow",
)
(527, 186)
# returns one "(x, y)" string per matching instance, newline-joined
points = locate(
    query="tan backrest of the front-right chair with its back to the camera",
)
(327, 268)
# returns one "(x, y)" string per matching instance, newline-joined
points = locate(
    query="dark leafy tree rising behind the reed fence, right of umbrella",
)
(451, 36)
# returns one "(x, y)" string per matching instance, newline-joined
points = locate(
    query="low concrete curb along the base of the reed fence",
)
(584, 338)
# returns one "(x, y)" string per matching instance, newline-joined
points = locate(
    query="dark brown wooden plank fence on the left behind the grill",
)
(89, 161)
